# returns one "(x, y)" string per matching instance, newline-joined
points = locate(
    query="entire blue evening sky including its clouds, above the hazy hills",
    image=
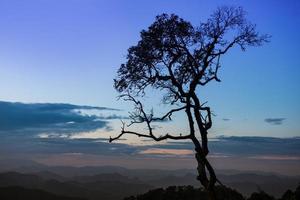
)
(58, 58)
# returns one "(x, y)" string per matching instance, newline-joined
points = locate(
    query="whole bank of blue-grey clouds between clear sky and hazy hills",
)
(66, 129)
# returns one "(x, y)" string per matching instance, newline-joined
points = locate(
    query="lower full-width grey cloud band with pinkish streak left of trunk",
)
(247, 147)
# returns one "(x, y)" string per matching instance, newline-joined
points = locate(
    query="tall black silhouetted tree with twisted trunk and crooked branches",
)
(178, 58)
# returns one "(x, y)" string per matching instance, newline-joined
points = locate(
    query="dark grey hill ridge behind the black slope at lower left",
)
(94, 188)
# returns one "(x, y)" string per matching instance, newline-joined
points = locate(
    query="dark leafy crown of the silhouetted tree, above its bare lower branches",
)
(176, 56)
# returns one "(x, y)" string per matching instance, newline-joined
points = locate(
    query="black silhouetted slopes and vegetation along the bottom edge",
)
(170, 193)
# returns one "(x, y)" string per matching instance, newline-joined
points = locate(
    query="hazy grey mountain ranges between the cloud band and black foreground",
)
(102, 178)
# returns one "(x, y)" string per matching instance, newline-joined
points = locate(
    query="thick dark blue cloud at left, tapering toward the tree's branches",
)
(50, 118)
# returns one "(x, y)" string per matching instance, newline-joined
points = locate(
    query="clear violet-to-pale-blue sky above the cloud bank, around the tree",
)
(68, 51)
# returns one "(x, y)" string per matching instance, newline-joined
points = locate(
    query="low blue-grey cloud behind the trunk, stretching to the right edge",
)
(248, 146)
